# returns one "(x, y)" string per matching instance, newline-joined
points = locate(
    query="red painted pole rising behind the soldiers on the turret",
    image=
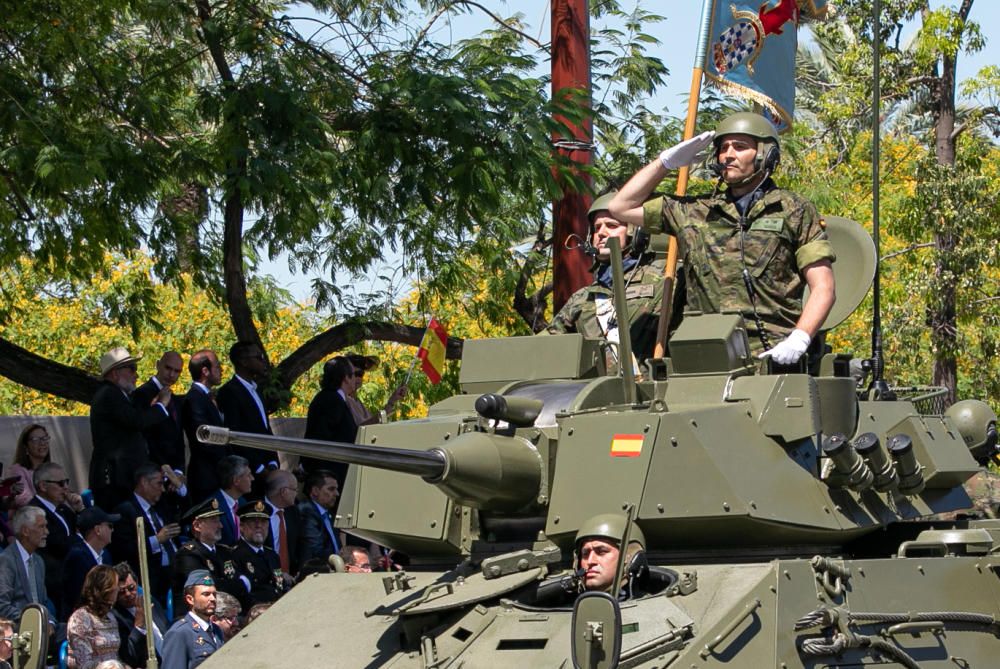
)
(570, 69)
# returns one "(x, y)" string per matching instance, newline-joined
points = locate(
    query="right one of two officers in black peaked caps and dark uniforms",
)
(256, 562)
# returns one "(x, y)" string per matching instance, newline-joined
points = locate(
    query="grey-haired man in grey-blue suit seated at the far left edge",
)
(22, 572)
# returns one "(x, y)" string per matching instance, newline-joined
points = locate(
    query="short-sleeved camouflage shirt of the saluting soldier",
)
(784, 234)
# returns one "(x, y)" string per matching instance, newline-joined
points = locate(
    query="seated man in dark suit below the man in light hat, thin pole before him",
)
(161, 529)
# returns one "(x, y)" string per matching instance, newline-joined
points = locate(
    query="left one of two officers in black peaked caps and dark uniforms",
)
(205, 552)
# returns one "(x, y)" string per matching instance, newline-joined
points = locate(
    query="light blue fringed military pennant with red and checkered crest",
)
(751, 51)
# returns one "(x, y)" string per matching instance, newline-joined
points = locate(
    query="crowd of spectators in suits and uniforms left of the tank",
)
(227, 531)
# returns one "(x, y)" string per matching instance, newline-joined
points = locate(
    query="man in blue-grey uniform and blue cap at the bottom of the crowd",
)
(190, 640)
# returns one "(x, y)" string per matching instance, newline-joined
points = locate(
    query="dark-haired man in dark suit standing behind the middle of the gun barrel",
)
(329, 417)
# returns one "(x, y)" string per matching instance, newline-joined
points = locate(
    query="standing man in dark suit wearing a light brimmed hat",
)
(116, 427)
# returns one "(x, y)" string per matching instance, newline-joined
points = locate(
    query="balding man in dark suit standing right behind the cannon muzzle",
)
(200, 409)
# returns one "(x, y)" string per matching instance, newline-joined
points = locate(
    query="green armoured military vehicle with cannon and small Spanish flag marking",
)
(785, 516)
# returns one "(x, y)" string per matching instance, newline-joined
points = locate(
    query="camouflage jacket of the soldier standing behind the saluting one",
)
(644, 293)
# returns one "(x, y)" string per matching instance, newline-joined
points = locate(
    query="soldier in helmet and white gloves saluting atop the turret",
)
(752, 248)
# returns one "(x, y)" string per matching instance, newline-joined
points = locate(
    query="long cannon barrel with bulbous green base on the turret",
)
(484, 471)
